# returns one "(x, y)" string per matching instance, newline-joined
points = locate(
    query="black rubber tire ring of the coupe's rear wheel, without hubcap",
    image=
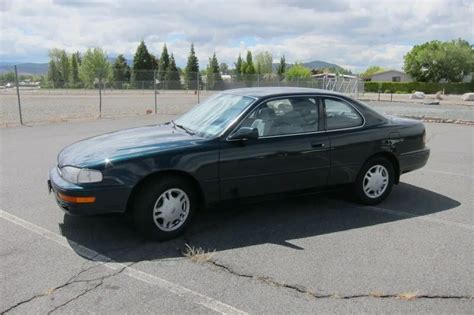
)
(359, 184)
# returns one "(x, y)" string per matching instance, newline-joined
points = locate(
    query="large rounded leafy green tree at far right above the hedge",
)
(435, 61)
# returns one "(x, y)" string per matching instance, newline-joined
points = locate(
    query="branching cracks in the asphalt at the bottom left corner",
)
(70, 281)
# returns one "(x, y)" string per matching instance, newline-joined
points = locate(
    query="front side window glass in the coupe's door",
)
(285, 117)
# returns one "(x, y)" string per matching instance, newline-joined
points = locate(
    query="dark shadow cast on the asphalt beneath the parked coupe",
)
(274, 221)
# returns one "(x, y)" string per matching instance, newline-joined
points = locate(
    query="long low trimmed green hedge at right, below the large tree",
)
(426, 87)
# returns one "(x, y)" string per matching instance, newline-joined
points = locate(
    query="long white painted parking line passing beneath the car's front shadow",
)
(177, 289)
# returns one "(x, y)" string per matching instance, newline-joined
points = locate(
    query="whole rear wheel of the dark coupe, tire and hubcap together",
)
(369, 188)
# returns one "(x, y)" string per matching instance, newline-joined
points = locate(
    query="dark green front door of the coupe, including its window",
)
(291, 152)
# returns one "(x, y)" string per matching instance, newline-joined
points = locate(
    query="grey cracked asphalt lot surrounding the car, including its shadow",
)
(314, 254)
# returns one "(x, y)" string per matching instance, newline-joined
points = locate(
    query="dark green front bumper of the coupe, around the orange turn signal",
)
(107, 199)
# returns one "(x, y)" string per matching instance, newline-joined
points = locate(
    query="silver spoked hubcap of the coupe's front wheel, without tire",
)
(171, 209)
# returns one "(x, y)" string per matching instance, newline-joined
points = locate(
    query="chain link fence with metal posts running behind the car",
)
(140, 93)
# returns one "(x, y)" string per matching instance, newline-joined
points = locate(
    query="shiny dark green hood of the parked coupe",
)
(124, 144)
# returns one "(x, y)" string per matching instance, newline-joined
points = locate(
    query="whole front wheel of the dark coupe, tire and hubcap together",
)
(164, 208)
